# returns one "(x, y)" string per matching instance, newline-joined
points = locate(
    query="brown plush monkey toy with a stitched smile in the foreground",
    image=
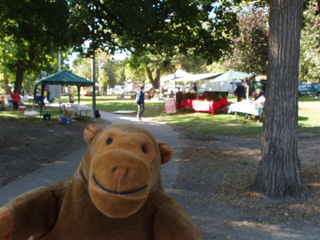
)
(115, 193)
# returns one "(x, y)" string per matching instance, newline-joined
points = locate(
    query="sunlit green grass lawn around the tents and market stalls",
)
(202, 124)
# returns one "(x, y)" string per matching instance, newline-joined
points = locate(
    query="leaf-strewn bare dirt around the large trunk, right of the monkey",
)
(213, 187)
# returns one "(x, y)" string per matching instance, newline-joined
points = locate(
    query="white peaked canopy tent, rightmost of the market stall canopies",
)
(221, 83)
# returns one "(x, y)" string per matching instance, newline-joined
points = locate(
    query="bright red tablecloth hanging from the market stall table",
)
(204, 106)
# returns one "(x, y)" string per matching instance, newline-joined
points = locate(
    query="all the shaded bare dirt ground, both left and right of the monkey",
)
(212, 182)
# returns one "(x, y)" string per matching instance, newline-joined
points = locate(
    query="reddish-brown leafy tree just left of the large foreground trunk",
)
(250, 49)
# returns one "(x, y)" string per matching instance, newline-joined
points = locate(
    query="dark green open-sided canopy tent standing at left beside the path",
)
(65, 78)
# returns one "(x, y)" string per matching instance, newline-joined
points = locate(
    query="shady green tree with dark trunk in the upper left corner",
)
(35, 29)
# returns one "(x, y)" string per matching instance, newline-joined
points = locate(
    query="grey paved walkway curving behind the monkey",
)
(65, 167)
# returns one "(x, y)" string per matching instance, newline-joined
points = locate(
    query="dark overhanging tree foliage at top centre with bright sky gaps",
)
(156, 30)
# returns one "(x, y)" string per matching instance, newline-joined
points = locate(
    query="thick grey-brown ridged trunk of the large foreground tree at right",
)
(279, 173)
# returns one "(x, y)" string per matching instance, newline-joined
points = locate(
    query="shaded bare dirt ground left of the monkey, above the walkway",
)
(29, 145)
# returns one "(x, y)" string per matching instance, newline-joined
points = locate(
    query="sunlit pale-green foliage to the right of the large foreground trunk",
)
(310, 50)
